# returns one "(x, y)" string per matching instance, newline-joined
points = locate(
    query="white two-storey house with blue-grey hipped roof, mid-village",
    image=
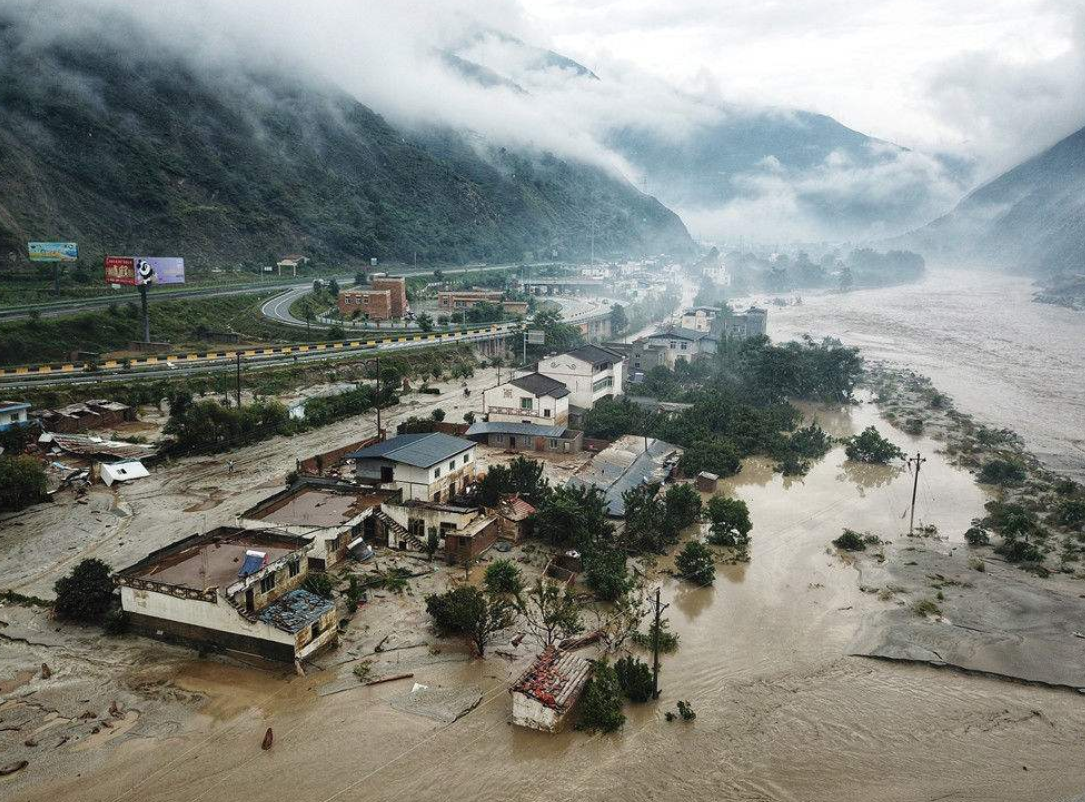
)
(429, 467)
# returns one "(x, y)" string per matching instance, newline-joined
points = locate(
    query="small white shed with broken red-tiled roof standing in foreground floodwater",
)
(545, 695)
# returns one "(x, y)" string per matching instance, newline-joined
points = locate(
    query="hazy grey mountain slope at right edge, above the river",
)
(1030, 218)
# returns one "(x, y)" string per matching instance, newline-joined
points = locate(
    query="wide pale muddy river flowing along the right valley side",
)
(1005, 360)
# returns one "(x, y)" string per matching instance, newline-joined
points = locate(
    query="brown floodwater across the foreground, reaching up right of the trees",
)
(784, 711)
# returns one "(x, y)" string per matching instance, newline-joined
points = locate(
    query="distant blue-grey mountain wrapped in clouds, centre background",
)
(731, 170)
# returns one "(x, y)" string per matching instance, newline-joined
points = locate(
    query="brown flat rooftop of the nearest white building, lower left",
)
(211, 561)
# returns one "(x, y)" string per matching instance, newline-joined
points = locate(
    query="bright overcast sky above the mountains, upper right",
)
(999, 80)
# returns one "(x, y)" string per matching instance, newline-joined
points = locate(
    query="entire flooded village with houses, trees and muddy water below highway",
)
(462, 603)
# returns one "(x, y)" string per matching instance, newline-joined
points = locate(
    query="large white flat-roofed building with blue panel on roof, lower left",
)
(235, 589)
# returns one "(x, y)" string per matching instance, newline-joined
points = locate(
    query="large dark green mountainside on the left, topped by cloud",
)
(126, 152)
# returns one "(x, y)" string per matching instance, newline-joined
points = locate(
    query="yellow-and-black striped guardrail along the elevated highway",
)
(196, 358)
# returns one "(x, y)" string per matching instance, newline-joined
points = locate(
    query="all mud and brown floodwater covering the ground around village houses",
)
(768, 658)
